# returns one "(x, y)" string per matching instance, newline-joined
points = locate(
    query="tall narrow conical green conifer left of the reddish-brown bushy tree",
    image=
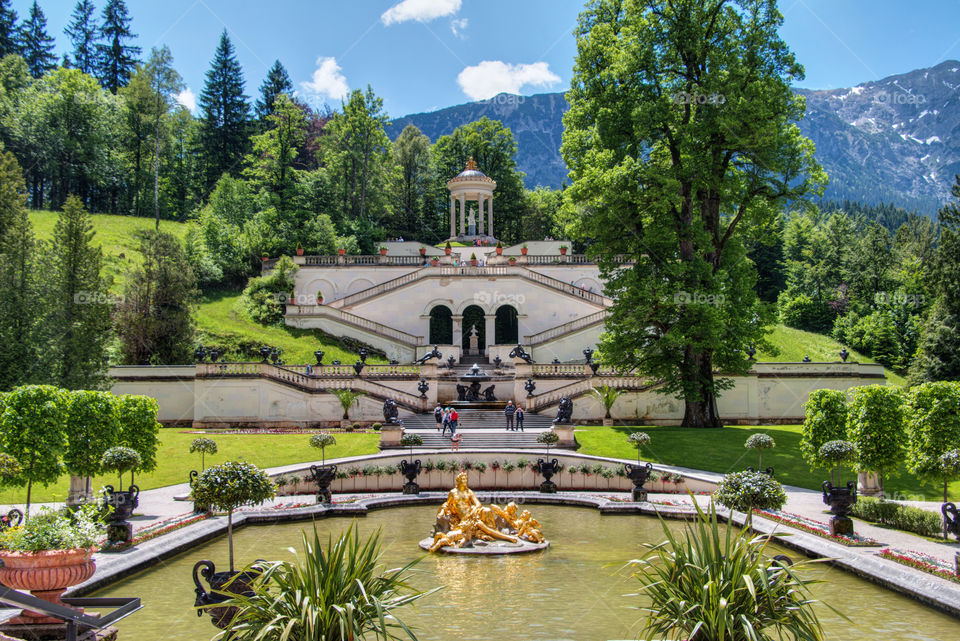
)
(79, 305)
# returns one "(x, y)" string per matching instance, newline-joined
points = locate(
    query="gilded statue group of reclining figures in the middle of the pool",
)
(463, 521)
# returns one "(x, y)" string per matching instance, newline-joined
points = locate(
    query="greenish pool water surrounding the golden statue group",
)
(576, 590)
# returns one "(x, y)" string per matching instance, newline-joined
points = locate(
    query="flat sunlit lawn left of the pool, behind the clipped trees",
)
(175, 461)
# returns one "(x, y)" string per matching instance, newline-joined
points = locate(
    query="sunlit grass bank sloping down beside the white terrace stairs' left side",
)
(223, 324)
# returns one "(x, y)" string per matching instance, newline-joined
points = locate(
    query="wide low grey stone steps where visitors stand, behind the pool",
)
(485, 429)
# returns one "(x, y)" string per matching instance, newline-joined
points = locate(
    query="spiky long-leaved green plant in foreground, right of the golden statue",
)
(721, 586)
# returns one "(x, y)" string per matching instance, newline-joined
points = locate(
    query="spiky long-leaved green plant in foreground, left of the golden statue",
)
(338, 591)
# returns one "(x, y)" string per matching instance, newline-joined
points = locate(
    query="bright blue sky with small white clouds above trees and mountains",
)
(421, 55)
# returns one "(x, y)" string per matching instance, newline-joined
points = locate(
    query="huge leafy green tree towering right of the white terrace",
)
(681, 137)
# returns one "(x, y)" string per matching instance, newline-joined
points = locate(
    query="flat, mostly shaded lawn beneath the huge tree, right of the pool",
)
(722, 450)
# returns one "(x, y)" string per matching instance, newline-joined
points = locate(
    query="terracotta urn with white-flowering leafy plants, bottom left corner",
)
(50, 553)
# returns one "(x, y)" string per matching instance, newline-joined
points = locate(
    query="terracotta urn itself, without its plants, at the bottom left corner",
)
(46, 575)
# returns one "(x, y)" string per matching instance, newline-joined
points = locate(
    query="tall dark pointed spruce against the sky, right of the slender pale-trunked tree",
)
(225, 115)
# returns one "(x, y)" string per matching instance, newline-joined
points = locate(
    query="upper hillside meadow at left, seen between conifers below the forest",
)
(115, 234)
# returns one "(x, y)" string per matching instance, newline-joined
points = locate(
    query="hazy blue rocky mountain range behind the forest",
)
(896, 140)
